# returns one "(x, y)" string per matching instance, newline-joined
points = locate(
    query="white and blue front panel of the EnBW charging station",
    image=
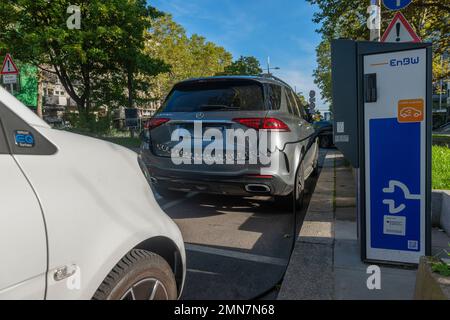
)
(395, 155)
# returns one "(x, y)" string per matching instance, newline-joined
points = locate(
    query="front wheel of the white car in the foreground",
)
(140, 275)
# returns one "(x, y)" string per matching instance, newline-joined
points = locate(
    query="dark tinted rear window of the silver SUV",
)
(215, 96)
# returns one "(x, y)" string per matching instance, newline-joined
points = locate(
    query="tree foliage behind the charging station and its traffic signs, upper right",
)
(347, 19)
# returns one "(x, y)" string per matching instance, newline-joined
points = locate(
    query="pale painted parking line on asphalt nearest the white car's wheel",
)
(237, 255)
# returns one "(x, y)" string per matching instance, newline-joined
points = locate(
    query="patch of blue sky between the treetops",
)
(281, 29)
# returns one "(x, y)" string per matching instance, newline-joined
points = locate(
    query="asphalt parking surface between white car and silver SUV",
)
(237, 248)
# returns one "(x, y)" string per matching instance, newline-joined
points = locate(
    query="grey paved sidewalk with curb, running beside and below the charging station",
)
(326, 260)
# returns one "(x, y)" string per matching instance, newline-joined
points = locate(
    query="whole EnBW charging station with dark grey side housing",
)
(382, 104)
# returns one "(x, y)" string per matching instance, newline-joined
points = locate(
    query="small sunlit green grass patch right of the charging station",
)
(441, 167)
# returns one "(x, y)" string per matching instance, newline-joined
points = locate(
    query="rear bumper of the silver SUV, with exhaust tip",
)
(229, 179)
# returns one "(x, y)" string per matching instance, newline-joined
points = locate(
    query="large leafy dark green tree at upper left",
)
(93, 62)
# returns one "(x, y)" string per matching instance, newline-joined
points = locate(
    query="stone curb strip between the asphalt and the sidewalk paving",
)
(314, 247)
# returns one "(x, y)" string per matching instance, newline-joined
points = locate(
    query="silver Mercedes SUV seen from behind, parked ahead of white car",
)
(233, 102)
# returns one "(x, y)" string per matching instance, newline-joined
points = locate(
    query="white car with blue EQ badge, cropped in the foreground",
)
(78, 219)
